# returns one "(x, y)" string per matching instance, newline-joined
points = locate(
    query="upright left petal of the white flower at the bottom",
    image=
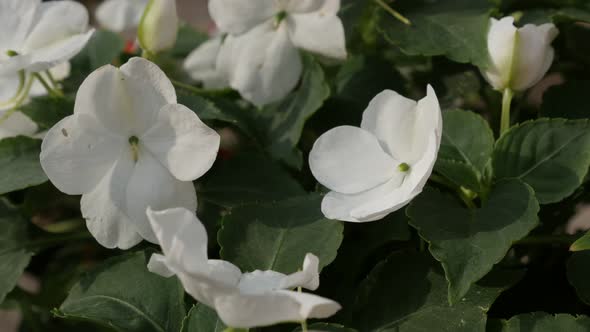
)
(181, 235)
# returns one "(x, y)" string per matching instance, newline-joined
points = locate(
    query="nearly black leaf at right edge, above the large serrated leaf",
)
(567, 100)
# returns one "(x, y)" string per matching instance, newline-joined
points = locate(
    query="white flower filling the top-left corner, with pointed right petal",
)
(37, 36)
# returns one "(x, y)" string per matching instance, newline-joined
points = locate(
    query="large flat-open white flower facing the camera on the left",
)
(127, 146)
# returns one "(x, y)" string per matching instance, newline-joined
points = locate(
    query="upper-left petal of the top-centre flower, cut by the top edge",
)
(238, 16)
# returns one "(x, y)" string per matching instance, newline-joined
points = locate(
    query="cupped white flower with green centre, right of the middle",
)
(378, 168)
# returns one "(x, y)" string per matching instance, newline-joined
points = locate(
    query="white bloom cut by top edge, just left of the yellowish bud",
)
(120, 15)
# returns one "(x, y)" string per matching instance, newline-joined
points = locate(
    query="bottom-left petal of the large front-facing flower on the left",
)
(102, 208)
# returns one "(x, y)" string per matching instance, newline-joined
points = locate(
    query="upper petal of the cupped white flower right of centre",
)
(391, 117)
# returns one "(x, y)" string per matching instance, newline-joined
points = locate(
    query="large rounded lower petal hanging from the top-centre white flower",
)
(266, 65)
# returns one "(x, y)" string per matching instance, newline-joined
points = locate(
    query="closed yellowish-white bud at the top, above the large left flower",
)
(158, 26)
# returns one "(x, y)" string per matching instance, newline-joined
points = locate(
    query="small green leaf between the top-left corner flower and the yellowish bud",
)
(103, 48)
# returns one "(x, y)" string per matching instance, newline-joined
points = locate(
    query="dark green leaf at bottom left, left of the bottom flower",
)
(123, 294)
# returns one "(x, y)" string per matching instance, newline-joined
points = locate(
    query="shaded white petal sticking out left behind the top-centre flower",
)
(201, 64)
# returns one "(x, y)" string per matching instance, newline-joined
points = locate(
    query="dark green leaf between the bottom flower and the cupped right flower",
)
(276, 236)
